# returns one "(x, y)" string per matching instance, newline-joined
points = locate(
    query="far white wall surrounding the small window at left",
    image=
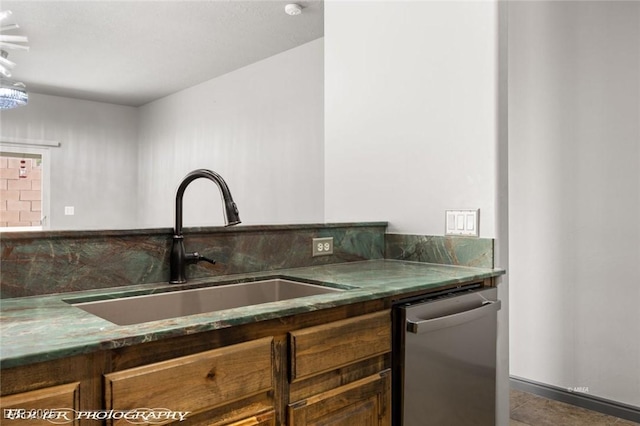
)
(97, 158)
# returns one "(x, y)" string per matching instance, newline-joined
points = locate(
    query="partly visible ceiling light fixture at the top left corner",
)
(12, 94)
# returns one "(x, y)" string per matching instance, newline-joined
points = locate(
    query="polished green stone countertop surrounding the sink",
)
(41, 328)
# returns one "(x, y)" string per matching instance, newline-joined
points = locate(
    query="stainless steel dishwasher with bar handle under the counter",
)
(445, 358)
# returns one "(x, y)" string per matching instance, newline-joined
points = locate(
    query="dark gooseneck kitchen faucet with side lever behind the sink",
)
(179, 259)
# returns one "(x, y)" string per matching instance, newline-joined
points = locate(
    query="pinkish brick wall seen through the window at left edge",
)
(20, 191)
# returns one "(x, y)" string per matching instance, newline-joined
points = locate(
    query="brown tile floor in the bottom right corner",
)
(532, 410)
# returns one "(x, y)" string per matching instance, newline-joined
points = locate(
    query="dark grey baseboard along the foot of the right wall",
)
(601, 405)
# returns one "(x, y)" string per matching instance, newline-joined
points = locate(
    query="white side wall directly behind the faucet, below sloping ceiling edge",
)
(260, 128)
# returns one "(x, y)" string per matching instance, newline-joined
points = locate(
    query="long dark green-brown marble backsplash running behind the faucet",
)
(35, 263)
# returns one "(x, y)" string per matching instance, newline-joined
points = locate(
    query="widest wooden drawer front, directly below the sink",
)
(197, 382)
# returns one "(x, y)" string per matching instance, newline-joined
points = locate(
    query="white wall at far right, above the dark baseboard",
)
(574, 114)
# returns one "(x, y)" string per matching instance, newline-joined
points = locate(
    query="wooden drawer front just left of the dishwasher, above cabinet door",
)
(329, 346)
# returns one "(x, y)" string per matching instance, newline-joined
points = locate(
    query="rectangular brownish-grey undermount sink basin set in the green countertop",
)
(152, 307)
